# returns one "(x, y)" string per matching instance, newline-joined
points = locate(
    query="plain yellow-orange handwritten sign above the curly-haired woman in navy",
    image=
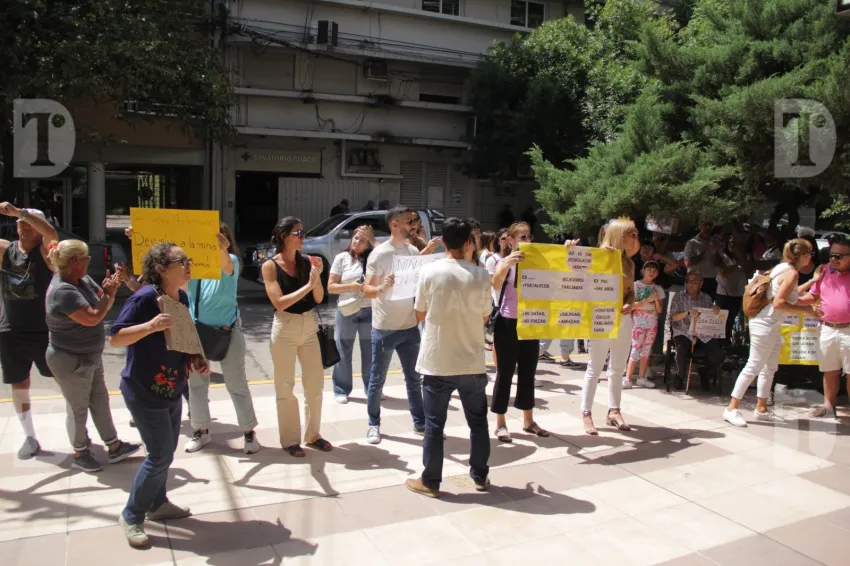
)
(193, 230)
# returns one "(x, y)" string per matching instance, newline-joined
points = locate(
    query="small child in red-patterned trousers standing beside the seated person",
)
(649, 298)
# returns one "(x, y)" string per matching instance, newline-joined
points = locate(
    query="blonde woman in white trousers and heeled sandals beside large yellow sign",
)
(621, 235)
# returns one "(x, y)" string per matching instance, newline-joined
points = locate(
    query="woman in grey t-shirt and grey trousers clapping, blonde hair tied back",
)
(75, 307)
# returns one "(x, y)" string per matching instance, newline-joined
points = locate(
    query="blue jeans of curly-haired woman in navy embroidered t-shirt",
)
(160, 431)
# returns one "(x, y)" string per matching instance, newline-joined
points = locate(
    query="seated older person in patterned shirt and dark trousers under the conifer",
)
(682, 312)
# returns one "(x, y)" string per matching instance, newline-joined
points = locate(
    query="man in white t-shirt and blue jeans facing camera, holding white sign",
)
(394, 327)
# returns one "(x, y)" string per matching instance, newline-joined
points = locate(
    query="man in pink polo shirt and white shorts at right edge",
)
(832, 289)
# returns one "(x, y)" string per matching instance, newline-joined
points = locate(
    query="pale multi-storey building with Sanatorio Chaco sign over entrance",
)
(364, 101)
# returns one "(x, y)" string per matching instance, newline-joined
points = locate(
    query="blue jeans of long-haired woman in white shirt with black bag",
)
(347, 329)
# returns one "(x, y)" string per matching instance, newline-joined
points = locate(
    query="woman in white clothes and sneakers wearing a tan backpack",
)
(765, 335)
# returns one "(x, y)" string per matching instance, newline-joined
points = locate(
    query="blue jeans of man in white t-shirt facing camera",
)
(406, 344)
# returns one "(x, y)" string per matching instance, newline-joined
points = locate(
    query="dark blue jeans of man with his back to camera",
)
(437, 394)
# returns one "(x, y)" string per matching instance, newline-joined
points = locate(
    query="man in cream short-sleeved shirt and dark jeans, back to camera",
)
(453, 298)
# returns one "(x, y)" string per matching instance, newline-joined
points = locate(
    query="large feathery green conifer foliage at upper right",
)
(699, 141)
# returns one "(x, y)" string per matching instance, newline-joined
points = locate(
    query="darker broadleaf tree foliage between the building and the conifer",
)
(560, 87)
